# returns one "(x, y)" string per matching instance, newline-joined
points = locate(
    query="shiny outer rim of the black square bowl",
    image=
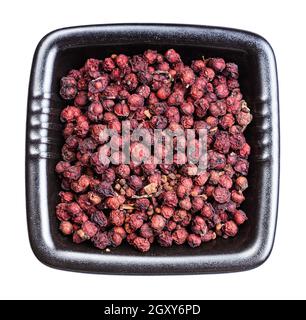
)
(247, 259)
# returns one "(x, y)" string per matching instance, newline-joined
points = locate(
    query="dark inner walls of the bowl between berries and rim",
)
(67, 58)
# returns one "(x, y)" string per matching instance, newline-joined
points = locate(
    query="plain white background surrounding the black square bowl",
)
(24, 23)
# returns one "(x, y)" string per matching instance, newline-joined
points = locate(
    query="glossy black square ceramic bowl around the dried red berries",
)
(65, 49)
